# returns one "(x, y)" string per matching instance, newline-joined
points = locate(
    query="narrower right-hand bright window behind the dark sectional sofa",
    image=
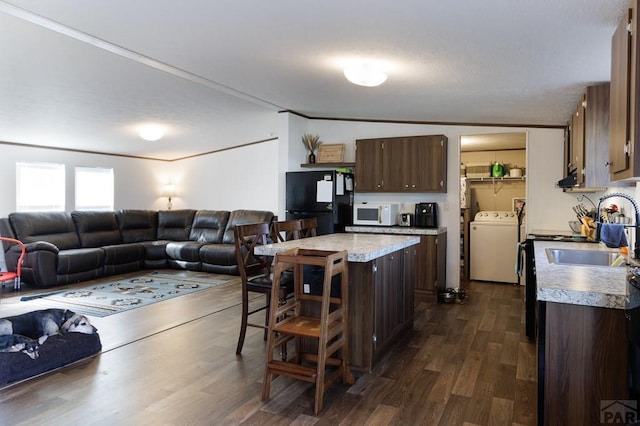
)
(94, 188)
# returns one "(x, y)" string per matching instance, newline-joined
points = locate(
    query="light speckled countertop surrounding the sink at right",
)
(600, 286)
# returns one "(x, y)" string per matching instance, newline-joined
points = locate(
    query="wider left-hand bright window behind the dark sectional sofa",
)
(40, 187)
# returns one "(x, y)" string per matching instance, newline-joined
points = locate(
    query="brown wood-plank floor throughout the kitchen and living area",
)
(174, 363)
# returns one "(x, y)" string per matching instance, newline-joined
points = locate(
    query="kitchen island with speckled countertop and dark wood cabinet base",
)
(381, 282)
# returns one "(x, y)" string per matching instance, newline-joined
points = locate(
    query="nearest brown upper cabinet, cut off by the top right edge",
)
(624, 157)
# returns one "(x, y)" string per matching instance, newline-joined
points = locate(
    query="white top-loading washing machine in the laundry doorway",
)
(493, 246)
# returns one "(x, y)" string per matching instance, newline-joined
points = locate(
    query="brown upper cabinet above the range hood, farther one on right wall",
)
(588, 148)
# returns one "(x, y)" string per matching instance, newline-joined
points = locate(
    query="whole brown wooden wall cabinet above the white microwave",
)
(402, 164)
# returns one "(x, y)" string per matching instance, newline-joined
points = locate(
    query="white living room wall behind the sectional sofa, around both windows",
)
(245, 177)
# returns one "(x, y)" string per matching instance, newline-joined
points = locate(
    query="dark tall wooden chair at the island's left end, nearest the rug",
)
(255, 275)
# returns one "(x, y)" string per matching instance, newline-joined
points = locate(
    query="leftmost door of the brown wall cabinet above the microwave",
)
(368, 173)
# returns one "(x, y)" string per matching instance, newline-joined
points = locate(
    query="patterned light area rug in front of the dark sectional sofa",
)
(104, 299)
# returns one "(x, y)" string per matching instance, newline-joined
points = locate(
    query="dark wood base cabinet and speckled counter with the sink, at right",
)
(588, 351)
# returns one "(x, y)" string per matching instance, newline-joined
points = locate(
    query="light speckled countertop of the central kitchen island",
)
(361, 247)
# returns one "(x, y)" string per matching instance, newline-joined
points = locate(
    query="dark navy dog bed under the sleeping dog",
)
(57, 351)
